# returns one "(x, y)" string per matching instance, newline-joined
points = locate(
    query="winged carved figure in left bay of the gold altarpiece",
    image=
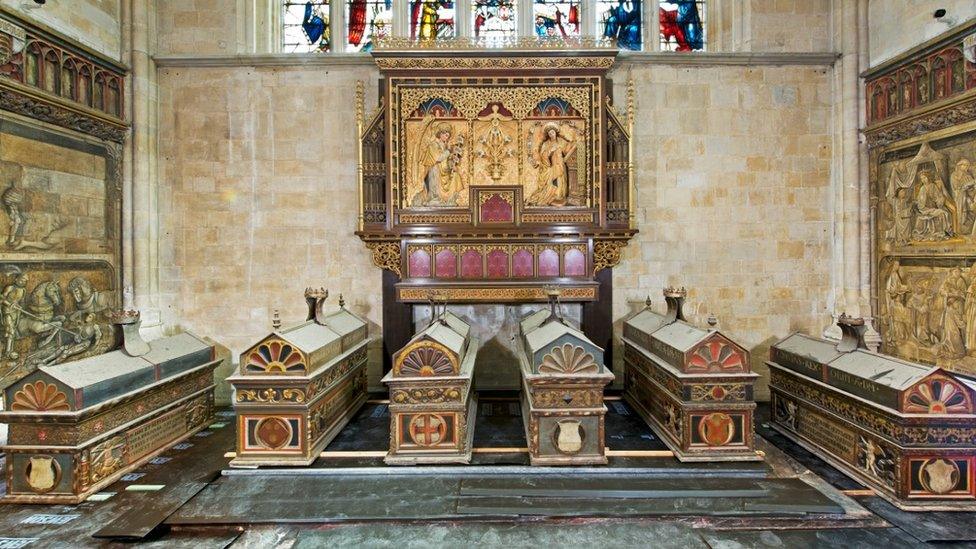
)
(439, 161)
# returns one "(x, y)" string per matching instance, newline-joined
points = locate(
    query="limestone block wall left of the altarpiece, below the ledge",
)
(258, 199)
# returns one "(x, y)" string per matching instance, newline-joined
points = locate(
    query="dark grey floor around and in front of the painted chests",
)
(780, 503)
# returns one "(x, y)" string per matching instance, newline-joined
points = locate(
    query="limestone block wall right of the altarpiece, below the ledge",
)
(733, 197)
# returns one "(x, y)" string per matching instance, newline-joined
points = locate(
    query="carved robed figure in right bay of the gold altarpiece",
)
(555, 147)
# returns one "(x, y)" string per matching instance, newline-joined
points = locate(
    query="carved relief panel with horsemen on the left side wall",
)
(60, 221)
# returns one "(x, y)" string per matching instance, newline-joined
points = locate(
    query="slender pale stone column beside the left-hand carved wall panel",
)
(141, 218)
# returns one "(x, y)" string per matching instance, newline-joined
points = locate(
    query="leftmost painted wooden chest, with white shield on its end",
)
(77, 427)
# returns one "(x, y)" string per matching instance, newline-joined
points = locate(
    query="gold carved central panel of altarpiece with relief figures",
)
(487, 131)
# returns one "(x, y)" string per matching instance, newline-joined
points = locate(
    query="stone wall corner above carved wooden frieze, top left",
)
(94, 23)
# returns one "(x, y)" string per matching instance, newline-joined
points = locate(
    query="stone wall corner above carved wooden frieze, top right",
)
(895, 27)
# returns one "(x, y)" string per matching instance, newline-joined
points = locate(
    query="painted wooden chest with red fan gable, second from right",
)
(694, 386)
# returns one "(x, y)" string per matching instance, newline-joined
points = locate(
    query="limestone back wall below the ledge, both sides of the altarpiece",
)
(257, 171)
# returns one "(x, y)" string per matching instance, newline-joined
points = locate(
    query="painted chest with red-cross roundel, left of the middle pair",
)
(432, 403)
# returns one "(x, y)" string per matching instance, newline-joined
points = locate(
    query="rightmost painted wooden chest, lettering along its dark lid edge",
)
(906, 430)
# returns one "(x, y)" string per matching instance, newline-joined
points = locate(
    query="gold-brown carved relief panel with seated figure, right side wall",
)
(926, 215)
